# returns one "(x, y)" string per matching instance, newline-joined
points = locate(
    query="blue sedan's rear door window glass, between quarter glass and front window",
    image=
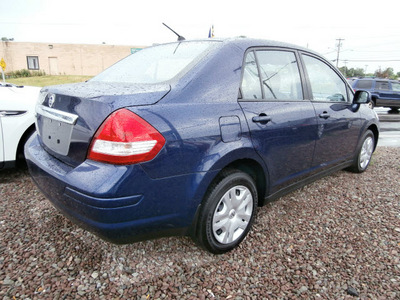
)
(280, 75)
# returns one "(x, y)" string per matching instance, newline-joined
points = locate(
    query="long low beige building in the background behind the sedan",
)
(62, 59)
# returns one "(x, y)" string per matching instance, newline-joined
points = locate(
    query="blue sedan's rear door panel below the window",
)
(292, 130)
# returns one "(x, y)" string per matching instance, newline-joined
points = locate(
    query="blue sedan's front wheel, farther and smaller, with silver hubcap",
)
(364, 153)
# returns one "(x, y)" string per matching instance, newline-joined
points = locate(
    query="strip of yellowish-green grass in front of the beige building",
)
(48, 80)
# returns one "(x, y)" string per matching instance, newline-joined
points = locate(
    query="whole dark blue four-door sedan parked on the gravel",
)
(189, 138)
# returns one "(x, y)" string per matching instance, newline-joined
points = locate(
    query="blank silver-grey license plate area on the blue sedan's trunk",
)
(56, 135)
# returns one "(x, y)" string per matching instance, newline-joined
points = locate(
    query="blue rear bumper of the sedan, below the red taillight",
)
(120, 204)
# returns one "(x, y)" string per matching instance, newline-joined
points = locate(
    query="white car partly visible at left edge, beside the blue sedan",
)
(17, 121)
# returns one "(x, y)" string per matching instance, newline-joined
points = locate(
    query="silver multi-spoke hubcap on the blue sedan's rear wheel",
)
(232, 214)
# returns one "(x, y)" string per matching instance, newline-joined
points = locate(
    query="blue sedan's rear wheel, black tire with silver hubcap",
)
(232, 201)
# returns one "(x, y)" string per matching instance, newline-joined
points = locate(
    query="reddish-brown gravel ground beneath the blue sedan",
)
(338, 238)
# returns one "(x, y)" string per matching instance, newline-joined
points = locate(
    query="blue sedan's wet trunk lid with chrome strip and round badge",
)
(69, 115)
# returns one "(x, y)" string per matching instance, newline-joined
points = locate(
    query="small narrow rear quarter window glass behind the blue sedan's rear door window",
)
(251, 88)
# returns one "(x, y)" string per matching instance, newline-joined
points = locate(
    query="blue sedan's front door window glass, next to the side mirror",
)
(326, 85)
